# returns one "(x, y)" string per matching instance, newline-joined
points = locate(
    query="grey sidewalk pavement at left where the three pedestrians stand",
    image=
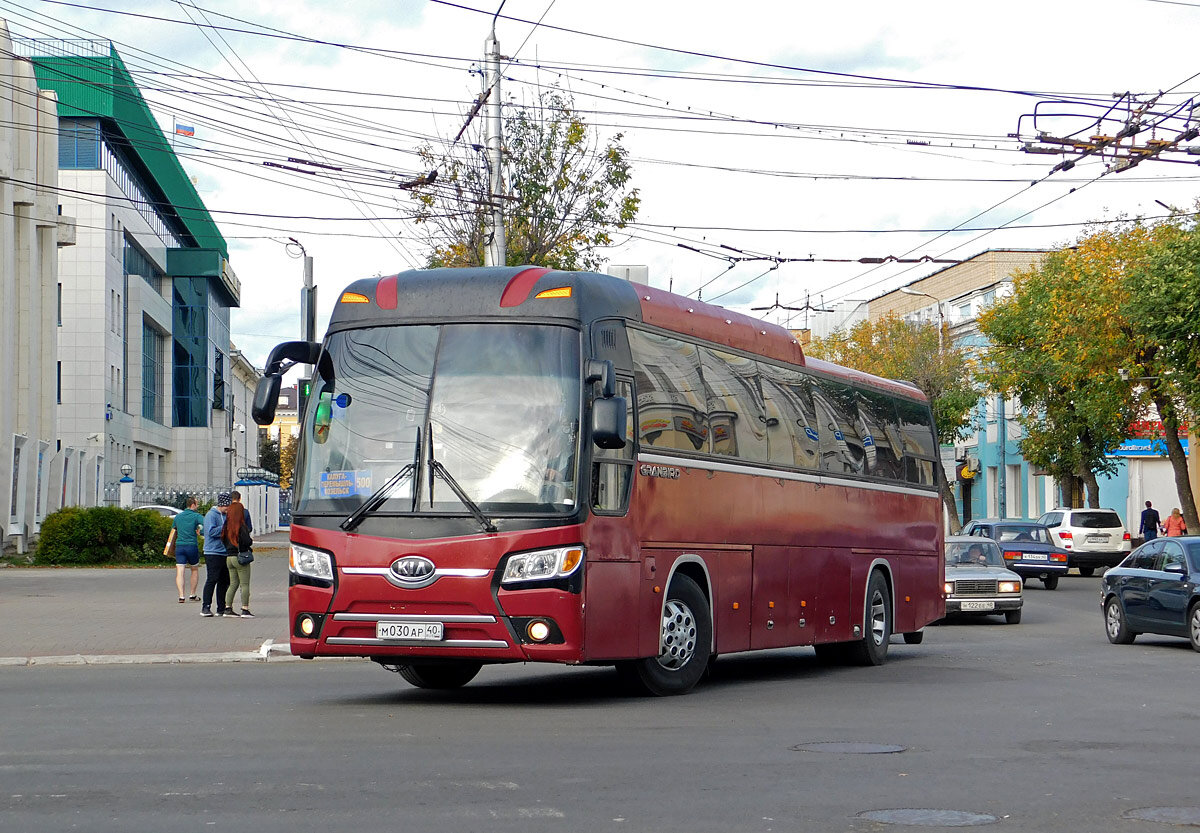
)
(79, 616)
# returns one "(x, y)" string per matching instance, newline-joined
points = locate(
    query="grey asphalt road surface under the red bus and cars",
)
(1040, 727)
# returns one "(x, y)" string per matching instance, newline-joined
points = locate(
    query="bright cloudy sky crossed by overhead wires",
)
(791, 135)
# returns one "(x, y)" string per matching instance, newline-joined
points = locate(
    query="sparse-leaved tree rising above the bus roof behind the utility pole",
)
(566, 193)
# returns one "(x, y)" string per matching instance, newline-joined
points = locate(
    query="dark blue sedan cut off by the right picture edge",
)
(1156, 590)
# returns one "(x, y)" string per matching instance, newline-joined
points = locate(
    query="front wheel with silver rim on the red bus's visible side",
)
(686, 643)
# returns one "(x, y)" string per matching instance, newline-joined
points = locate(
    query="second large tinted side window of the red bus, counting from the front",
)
(737, 417)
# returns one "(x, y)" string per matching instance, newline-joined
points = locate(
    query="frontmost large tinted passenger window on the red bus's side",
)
(673, 403)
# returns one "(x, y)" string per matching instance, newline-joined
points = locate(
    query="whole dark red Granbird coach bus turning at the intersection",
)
(513, 465)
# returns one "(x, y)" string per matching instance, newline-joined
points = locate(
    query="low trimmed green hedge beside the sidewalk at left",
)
(104, 536)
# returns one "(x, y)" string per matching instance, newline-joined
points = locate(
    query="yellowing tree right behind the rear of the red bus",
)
(893, 349)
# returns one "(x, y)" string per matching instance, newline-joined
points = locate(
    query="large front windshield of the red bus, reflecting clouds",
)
(497, 405)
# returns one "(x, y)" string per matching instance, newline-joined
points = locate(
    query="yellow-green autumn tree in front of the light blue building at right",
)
(1067, 344)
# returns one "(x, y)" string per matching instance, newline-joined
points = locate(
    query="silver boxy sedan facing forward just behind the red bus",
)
(977, 583)
